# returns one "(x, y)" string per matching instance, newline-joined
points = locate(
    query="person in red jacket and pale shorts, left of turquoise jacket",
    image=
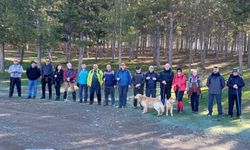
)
(69, 81)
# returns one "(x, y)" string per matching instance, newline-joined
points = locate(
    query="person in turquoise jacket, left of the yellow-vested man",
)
(82, 82)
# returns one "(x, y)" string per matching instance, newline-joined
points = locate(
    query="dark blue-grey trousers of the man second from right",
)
(210, 103)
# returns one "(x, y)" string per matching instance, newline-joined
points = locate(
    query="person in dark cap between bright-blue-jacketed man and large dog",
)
(138, 81)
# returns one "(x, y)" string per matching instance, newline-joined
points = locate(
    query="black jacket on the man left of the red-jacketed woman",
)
(168, 76)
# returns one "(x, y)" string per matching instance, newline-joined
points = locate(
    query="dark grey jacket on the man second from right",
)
(215, 83)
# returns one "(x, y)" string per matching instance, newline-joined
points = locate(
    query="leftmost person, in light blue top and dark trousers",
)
(15, 71)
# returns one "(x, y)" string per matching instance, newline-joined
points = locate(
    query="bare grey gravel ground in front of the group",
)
(57, 125)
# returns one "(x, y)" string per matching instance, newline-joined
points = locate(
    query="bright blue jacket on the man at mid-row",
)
(125, 77)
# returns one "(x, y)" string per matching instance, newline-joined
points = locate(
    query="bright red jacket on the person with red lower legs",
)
(179, 82)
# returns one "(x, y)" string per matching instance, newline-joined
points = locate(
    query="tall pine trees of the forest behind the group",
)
(132, 29)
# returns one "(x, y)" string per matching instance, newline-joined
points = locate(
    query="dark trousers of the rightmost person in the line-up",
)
(233, 99)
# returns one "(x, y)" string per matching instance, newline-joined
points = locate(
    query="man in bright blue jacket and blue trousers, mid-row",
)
(123, 77)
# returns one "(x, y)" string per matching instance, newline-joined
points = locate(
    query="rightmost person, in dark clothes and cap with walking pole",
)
(235, 84)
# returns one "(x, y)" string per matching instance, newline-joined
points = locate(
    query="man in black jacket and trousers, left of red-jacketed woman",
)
(166, 79)
